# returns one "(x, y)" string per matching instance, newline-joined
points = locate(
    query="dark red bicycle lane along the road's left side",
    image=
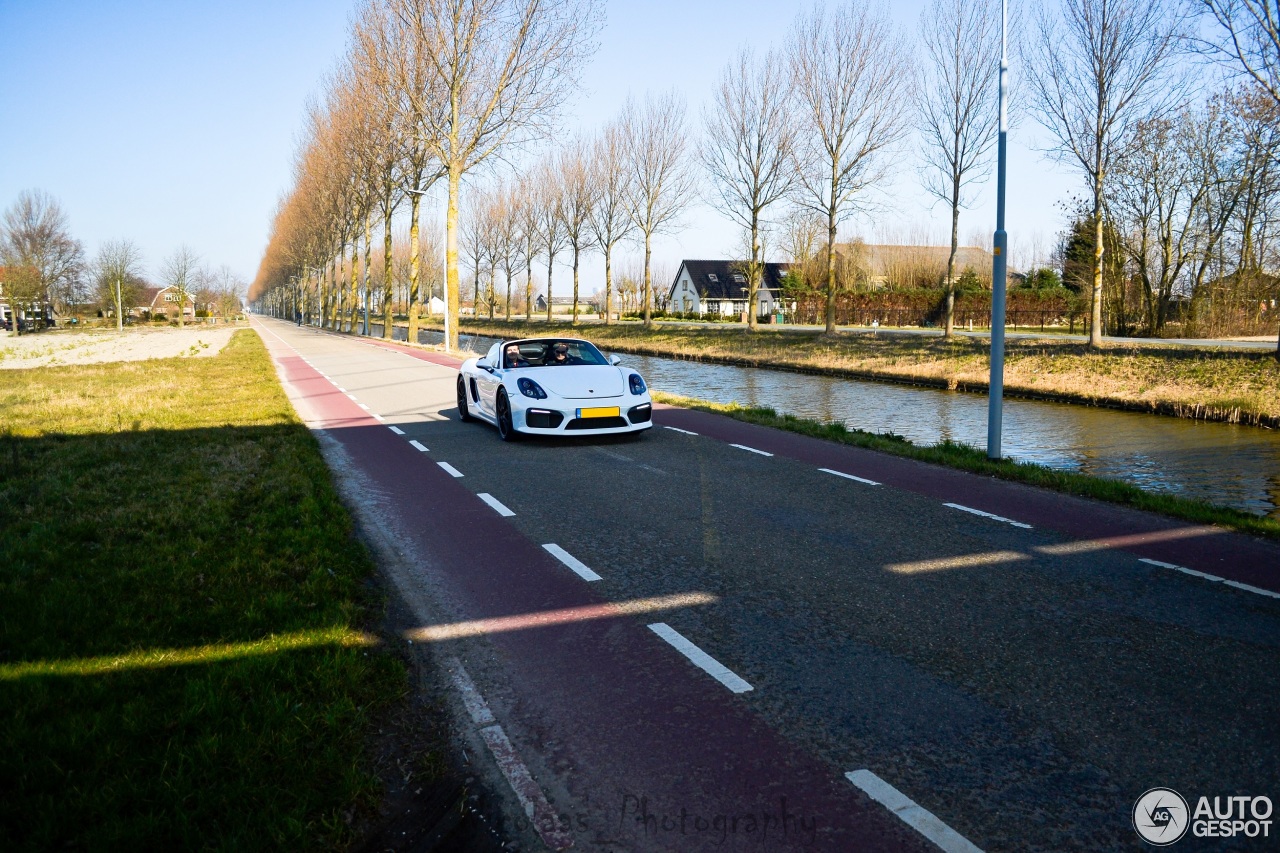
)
(646, 751)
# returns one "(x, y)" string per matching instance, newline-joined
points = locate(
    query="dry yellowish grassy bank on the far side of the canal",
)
(1210, 385)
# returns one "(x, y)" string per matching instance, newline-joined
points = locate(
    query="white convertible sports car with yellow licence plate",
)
(554, 387)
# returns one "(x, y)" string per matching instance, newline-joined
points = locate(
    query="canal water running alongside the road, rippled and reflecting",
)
(1226, 464)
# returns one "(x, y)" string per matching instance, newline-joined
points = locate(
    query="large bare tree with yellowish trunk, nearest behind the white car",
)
(500, 72)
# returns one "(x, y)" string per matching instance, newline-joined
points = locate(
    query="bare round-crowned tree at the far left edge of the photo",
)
(44, 262)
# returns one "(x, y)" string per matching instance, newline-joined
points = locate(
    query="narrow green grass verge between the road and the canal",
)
(971, 459)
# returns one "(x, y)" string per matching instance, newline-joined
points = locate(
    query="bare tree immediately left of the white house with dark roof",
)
(662, 183)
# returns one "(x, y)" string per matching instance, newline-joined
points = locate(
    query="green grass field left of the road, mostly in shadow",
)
(182, 603)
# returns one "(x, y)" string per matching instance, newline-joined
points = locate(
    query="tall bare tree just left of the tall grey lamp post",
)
(957, 111)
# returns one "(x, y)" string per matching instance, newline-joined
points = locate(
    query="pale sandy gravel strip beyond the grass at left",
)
(99, 346)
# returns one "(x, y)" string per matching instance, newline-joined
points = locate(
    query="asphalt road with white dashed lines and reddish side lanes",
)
(1023, 678)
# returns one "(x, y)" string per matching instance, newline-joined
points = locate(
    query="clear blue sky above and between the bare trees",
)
(175, 122)
